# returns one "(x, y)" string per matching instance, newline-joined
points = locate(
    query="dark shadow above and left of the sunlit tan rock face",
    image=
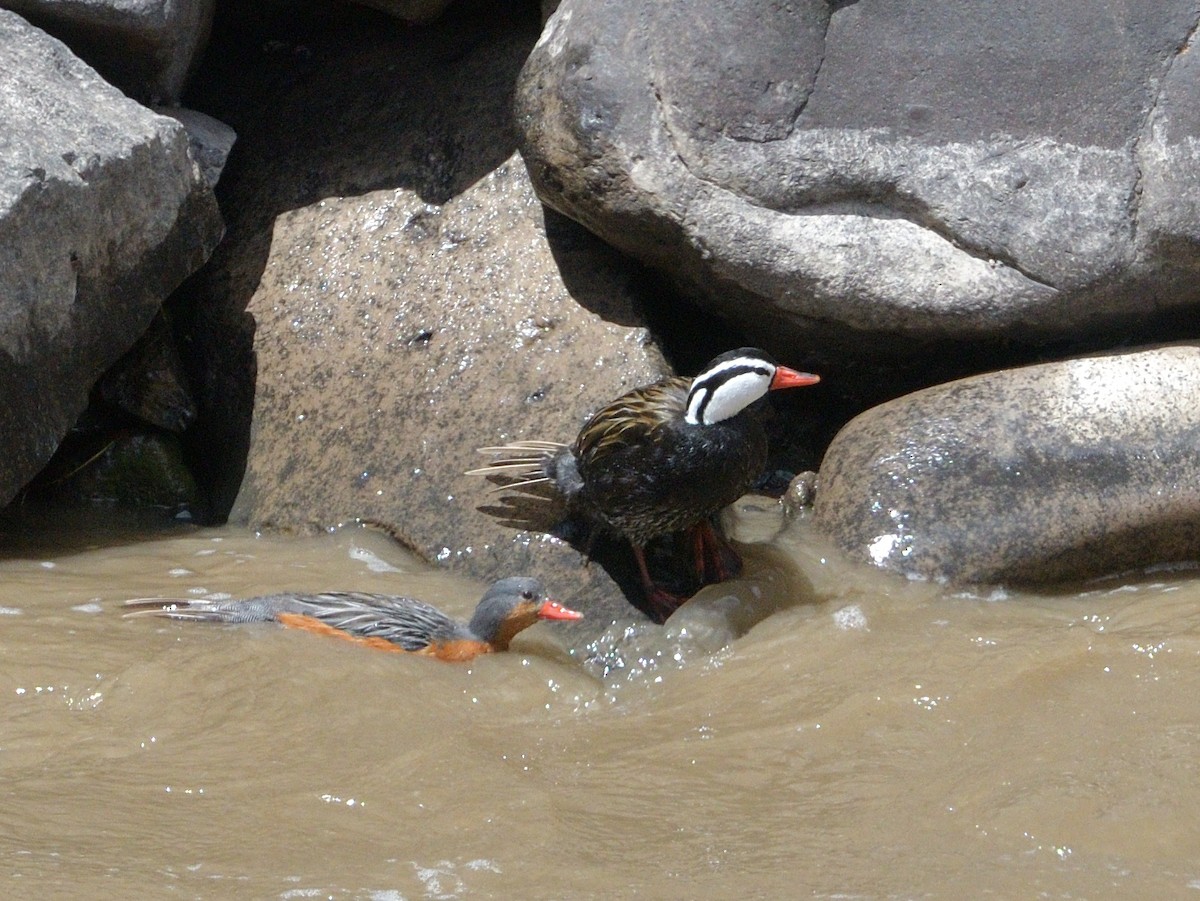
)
(328, 100)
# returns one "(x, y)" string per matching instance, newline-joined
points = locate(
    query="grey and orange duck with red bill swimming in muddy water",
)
(383, 622)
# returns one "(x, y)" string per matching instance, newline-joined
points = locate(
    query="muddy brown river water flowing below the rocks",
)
(859, 737)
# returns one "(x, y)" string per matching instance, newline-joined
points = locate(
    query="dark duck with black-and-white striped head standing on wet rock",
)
(663, 459)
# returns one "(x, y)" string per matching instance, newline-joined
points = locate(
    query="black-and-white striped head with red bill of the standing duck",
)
(735, 381)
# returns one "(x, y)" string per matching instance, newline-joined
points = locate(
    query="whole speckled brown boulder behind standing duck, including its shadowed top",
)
(405, 302)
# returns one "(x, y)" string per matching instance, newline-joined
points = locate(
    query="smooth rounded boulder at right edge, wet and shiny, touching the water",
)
(1051, 473)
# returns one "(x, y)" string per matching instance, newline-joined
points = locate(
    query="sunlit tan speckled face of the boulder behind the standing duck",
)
(393, 340)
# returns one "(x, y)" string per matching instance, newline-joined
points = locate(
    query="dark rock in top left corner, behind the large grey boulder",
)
(145, 47)
